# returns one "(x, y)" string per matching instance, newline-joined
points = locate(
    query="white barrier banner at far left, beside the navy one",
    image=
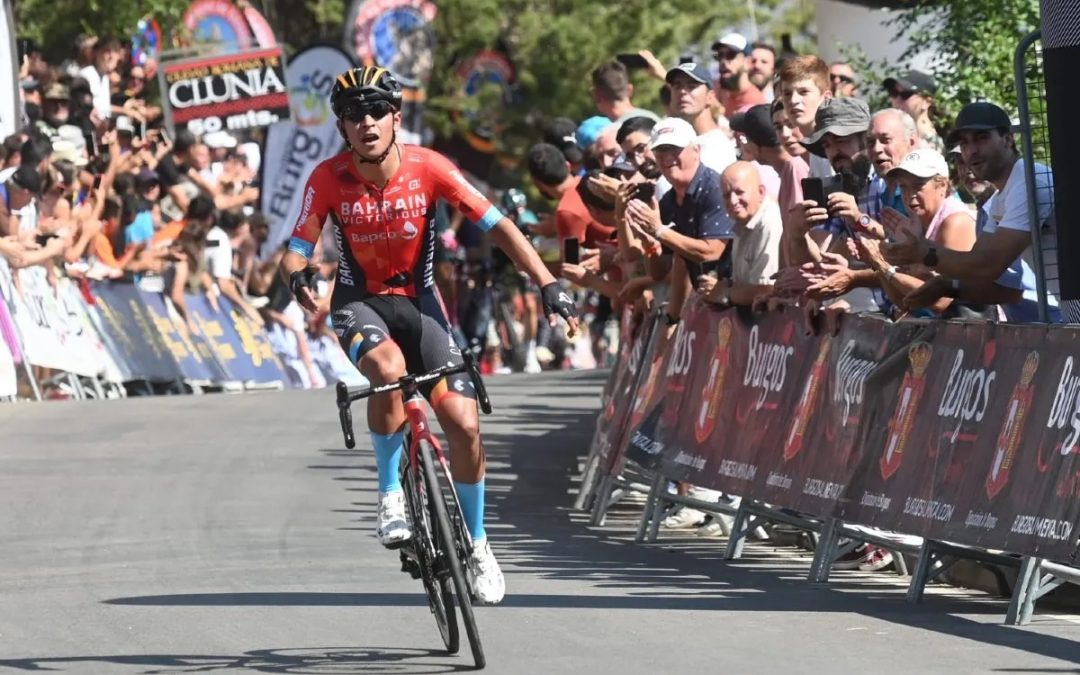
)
(50, 331)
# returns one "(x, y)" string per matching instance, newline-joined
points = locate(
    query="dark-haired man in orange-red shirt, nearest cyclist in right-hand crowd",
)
(551, 175)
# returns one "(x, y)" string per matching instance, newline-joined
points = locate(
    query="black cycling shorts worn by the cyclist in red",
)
(418, 328)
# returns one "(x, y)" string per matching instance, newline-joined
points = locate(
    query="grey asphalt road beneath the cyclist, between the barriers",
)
(234, 534)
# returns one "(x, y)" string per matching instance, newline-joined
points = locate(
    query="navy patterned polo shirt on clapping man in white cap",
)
(701, 215)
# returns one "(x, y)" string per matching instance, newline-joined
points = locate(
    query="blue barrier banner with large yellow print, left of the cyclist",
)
(240, 346)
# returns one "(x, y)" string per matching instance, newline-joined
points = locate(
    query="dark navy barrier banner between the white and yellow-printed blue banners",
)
(129, 325)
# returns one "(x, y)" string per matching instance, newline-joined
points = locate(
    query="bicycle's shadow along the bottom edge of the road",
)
(290, 660)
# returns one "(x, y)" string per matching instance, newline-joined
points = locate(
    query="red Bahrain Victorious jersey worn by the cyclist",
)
(385, 236)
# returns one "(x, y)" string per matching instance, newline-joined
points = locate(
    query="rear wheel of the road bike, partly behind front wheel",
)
(437, 587)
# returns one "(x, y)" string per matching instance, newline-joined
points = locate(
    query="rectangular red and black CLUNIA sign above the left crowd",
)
(231, 92)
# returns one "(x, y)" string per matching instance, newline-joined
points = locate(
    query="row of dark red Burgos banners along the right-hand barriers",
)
(962, 433)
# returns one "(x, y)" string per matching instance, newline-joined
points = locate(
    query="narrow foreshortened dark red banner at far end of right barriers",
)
(624, 383)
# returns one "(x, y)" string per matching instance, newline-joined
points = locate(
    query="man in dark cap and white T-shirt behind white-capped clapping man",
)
(693, 101)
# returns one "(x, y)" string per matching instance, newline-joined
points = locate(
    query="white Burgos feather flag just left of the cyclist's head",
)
(293, 150)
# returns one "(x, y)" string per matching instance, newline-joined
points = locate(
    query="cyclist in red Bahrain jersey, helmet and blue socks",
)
(381, 196)
